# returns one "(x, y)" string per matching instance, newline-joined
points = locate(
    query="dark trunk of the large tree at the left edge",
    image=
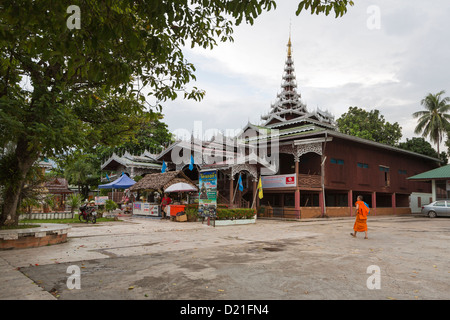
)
(24, 159)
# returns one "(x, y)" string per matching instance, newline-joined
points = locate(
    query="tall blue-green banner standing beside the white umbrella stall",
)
(207, 199)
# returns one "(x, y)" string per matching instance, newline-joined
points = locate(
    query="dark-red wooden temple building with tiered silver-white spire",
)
(307, 167)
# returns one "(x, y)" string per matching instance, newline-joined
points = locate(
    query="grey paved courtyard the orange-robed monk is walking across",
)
(142, 258)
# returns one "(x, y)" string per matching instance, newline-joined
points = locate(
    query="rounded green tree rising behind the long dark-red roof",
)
(369, 125)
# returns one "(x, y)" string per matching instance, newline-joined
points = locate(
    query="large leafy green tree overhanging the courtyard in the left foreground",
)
(69, 69)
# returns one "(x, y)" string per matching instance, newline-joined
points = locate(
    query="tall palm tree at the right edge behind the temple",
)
(433, 121)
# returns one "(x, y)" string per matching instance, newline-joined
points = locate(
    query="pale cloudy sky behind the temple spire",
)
(383, 54)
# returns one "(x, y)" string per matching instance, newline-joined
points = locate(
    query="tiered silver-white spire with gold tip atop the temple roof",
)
(289, 108)
